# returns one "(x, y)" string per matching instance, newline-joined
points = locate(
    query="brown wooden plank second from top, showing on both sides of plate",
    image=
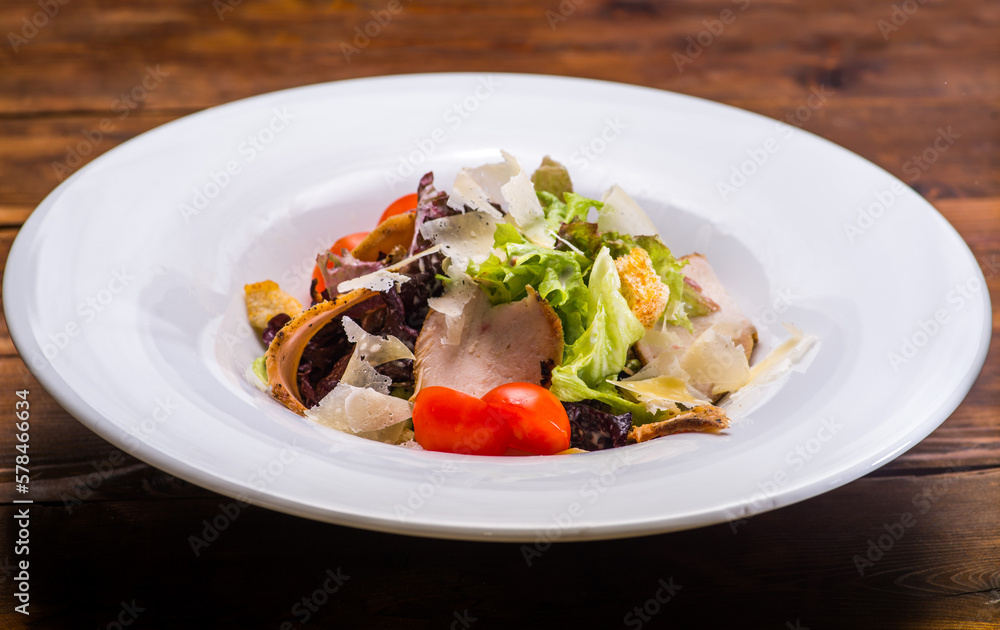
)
(37, 153)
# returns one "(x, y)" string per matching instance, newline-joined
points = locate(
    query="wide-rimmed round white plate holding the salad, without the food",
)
(131, 315)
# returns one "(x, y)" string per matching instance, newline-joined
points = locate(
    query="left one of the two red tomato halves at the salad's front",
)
(448, 420)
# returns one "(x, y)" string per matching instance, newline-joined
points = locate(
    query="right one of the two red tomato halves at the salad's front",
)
(537, 419)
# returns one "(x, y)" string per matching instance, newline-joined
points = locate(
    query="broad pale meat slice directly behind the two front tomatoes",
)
(518, 342)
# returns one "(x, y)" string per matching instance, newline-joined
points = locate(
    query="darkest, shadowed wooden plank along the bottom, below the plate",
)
(800, 563)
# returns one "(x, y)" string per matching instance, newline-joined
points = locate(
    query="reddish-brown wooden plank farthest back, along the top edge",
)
(282, 43)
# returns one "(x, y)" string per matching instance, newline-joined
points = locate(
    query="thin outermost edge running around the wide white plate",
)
(19, 327)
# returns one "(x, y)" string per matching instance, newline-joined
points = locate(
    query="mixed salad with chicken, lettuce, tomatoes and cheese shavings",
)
(510, 315)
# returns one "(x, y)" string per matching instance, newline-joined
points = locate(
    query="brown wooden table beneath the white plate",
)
(110, 535)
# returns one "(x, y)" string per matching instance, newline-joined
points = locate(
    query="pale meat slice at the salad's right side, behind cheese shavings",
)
(732, 320)
